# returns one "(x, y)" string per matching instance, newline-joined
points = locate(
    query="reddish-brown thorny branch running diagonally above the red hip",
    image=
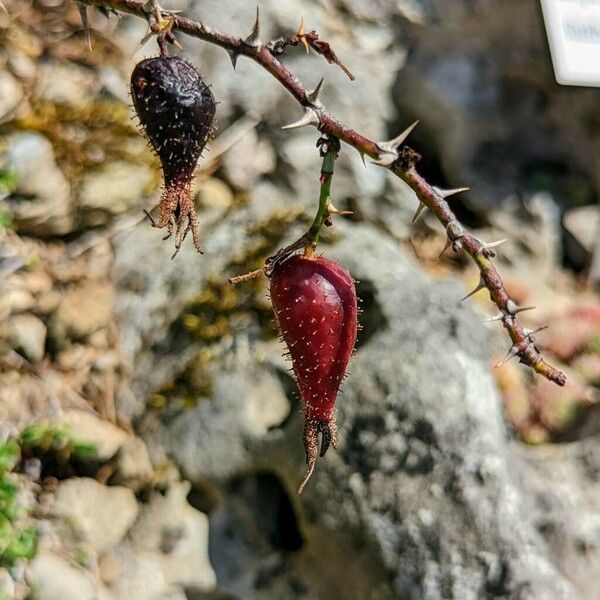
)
(393, 155)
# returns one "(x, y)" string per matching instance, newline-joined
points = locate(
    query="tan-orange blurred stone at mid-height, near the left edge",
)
(83, 310)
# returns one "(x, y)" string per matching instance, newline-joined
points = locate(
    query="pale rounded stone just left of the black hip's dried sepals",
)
(112, 190)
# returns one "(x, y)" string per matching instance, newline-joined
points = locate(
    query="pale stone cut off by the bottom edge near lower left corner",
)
(52, 577)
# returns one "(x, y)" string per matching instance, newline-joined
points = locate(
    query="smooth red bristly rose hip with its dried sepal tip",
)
(315, 303)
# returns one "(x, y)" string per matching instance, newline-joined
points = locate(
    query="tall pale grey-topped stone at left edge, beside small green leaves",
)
(41, 202)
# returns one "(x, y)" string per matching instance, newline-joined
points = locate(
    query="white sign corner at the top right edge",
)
(573, 28)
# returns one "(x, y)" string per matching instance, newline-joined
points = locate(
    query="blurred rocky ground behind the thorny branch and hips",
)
(150, 442)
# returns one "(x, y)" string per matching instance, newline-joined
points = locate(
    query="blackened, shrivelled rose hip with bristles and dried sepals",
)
(176, 110)
